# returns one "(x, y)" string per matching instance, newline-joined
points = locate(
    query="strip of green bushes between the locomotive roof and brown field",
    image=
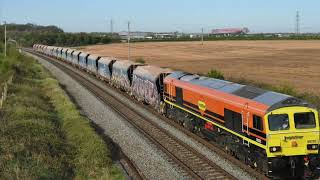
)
(285, 88)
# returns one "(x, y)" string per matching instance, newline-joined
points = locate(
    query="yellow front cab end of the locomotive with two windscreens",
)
(293, 139)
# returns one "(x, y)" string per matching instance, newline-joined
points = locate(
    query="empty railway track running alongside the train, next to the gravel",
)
(193, 164)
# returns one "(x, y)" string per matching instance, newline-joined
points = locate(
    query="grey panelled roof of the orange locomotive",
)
(272, 99)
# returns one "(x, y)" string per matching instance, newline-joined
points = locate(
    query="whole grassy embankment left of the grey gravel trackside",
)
(42, 134)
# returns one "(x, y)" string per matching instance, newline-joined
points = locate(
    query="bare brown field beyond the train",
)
(295, 63)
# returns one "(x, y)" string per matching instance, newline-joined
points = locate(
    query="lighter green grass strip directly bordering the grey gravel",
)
(92, 158)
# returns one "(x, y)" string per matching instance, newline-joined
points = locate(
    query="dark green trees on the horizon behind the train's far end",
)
(29, 34)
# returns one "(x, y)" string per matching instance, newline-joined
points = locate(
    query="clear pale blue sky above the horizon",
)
(165, 15)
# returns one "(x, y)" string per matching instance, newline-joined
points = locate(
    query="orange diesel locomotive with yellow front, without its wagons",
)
(273, 132)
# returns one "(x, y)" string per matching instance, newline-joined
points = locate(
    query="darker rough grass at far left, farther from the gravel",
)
(32, 144)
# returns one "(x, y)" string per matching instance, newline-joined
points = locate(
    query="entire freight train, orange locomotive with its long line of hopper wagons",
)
(274, 133)
